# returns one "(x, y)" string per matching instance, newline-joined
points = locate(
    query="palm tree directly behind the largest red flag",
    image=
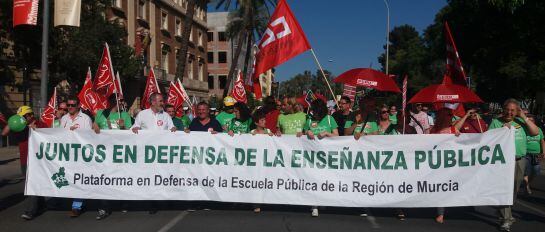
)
(248, 21)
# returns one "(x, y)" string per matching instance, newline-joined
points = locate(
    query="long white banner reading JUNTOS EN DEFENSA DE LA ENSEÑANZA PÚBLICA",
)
(375, 171)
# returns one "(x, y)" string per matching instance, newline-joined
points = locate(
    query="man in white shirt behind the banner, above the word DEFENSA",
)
(153, 118)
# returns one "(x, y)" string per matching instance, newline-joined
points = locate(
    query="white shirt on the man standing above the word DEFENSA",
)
(148, 120)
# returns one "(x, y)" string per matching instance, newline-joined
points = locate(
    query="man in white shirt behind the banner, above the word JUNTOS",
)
(75, 120)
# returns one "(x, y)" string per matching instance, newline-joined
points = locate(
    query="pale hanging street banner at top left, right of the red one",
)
(67, 12)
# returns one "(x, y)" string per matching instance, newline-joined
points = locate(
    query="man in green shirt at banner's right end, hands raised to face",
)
(514, 117)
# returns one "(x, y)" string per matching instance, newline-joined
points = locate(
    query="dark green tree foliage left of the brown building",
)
(72, 50)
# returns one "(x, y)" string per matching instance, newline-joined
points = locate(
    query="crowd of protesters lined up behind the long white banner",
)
(289, 116)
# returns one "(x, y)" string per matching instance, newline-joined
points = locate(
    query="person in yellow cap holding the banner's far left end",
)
(32, 203)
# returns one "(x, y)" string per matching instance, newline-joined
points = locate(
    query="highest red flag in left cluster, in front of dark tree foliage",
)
(105, 78)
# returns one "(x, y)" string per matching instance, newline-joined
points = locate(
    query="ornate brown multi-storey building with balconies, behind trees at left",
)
(154, 29)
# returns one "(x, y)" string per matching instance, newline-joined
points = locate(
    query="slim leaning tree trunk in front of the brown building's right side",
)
(182, 54)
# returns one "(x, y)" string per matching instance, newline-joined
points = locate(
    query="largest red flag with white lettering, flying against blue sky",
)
(283, 39)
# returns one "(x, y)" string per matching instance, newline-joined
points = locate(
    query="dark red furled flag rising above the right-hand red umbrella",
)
(454, 64)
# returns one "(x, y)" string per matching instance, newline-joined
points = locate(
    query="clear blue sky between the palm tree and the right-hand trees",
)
(347, 34)
